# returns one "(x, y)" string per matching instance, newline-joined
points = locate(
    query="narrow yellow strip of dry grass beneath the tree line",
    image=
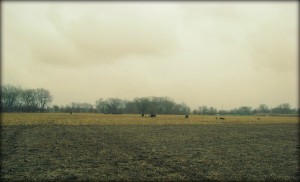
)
(133, 119)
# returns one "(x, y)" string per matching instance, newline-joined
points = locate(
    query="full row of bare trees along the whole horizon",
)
(16, 99)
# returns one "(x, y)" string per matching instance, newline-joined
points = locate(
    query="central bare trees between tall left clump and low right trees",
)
(143, 105)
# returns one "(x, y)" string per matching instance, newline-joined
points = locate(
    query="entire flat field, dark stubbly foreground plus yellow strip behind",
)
(93, 147)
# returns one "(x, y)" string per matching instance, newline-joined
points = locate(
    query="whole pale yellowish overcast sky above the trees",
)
(216, 54)
